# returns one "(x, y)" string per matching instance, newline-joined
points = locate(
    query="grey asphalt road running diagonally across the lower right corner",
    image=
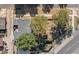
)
(72, 47)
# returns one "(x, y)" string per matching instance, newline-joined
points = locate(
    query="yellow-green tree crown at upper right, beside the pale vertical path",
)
(62, 17)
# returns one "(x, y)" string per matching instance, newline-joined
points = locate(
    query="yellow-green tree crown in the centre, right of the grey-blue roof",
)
(39, 25)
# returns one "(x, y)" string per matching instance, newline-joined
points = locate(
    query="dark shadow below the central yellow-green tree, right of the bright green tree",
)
(41, 39)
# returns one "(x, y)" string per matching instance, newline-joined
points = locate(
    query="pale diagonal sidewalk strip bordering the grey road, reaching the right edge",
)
(64, 43)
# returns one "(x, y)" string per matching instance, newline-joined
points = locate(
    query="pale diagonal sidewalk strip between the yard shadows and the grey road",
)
(55, 50)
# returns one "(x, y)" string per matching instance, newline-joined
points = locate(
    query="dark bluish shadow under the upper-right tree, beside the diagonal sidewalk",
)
(60, 33)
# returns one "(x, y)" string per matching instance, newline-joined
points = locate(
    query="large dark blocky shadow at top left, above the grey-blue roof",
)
(22, 9)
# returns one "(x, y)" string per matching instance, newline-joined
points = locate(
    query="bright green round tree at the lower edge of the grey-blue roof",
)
(26, 41)
